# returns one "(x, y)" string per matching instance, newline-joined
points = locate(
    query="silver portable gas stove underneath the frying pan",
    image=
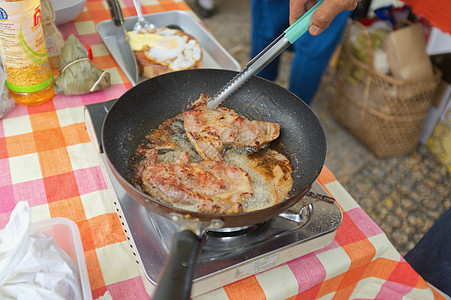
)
(229, 254)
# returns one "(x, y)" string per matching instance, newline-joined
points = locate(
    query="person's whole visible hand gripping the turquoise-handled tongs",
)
(323, 15)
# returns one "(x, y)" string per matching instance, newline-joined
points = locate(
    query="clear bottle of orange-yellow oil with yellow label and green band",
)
(29, 76)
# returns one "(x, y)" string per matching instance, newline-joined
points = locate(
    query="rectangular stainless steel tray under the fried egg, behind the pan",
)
(214, 55)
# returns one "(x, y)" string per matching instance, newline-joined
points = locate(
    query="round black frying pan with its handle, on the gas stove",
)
(145, 106)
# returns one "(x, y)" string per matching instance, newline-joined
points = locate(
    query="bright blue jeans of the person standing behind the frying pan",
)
(311, 54)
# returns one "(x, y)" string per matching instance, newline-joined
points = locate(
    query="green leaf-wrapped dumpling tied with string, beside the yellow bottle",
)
(78, 75)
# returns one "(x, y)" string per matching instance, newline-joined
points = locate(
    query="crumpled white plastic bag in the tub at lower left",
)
(32, 266)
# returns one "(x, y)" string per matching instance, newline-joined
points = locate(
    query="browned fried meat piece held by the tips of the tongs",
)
(210, 129)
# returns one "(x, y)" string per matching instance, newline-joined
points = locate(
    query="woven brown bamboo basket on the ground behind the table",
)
(384, 113)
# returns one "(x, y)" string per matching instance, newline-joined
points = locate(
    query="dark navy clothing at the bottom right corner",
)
(431, 256)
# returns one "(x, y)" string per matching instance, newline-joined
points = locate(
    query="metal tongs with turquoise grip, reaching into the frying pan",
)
(261, 60)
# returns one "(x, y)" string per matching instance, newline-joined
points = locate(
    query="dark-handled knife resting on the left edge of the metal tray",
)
(124, 56)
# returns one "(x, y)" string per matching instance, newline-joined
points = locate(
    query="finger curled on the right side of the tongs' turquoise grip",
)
(326, 12)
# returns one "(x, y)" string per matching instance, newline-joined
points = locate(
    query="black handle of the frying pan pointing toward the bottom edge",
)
(178, 275)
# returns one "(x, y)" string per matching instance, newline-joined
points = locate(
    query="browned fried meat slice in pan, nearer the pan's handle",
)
(209, 186)
